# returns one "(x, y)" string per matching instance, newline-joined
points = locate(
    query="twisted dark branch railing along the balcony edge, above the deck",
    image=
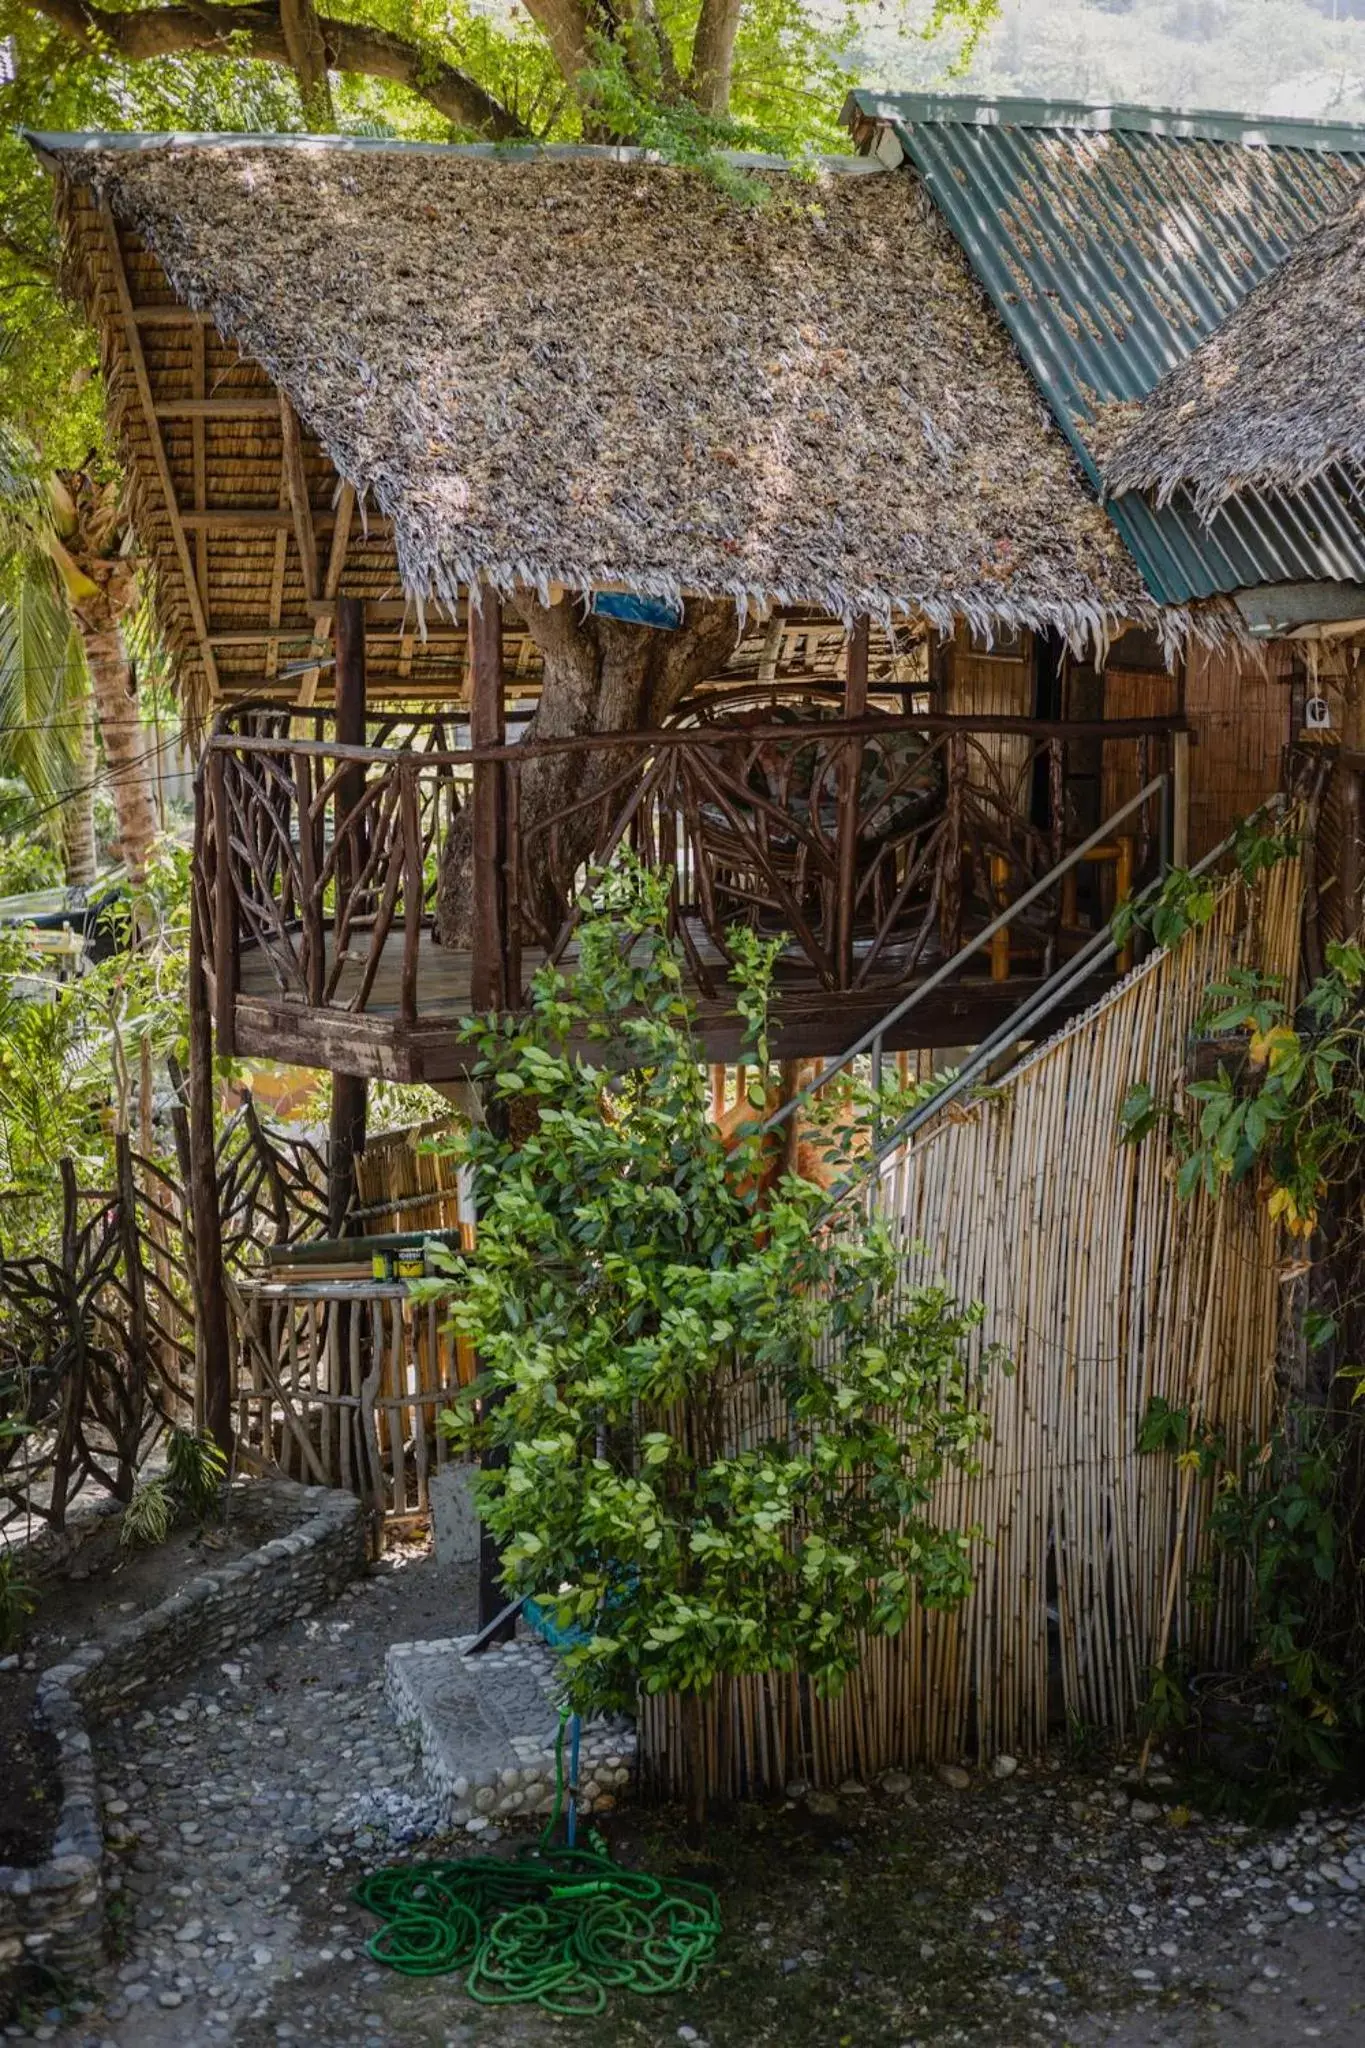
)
(873, 845)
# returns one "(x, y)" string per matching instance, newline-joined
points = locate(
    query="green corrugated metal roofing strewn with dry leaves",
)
(1114, 241)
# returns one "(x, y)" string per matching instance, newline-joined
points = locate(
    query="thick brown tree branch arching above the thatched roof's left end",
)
(257, 32)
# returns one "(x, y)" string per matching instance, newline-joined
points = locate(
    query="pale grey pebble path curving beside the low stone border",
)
(240, 1793)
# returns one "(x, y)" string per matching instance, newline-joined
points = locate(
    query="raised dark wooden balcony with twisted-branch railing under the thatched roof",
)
(877, 845)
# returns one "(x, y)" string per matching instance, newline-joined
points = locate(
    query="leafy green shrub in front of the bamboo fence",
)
(721, 1416)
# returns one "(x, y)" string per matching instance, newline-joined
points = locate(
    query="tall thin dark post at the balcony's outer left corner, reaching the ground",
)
(212, 1295)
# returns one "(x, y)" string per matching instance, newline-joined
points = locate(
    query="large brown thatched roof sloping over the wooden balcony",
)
(609, 374)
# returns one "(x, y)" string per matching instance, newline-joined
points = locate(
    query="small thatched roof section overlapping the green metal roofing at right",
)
(1276, 396)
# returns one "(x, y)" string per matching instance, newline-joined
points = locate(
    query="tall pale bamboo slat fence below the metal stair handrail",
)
(1106, 1291)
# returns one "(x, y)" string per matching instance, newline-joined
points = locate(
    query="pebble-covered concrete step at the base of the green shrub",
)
(486, 1730)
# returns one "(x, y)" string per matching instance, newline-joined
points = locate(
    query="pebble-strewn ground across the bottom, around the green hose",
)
(1014, 1908)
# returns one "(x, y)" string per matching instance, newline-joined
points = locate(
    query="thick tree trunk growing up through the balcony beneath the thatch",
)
(601, 677)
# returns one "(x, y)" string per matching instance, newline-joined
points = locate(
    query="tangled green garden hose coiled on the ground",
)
(556, 1928)
